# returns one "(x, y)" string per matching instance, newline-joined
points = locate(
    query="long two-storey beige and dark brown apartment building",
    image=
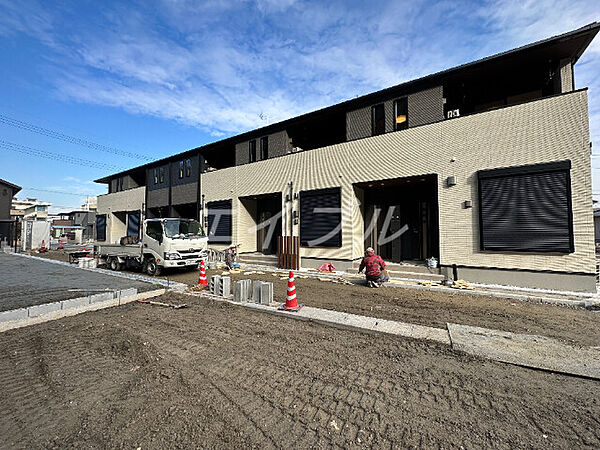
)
(484, 166)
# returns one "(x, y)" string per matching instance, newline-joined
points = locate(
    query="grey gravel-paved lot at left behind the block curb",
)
(26, 282)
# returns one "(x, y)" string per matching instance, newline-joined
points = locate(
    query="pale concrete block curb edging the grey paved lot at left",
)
(10, 320)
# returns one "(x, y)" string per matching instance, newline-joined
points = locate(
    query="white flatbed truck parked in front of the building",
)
(164, 243)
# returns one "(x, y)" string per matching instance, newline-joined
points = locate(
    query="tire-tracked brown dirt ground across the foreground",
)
(216, 375)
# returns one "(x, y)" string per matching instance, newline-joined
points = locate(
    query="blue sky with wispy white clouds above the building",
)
(89, 88)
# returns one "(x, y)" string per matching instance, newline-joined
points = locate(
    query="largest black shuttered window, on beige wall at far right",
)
(526, 208)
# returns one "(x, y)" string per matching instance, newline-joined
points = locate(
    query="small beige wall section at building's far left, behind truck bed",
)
(115, 205)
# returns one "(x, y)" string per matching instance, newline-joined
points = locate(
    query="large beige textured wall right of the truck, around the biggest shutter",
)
(545, 130)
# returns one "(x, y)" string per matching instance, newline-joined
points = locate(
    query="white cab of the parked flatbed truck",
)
(172, 242)
